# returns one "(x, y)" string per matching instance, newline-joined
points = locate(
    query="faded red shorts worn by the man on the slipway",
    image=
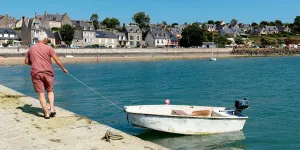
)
(42, 81)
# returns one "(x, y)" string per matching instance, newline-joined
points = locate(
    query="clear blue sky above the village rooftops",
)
(179, 11)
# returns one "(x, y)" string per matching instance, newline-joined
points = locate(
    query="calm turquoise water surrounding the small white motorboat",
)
(271, 85)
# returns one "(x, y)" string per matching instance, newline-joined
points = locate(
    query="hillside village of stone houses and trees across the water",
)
(24, 32)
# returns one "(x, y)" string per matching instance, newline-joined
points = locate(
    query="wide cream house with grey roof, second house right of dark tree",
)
(107, 39)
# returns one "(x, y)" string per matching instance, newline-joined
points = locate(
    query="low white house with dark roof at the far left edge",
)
(7, 34)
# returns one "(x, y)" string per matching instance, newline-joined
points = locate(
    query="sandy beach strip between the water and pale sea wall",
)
(19, 61)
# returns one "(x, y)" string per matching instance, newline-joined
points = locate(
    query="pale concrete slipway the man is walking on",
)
(22, 127)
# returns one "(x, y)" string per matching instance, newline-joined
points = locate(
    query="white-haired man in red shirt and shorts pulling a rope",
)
(39, 58)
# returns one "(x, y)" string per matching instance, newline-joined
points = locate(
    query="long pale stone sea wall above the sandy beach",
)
(21, 52)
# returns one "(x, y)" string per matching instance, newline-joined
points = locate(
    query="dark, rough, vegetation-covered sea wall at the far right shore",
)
(265, 51)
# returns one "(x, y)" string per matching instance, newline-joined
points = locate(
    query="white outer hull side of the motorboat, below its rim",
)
(187, 125)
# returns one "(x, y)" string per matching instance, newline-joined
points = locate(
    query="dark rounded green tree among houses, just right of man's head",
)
(67, 33)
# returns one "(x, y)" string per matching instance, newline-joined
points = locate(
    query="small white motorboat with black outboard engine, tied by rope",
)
(188, 120)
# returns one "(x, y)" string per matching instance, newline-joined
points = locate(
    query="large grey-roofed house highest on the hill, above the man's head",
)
(50, 21)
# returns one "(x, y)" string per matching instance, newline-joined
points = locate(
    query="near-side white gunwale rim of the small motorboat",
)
(193, 117)
